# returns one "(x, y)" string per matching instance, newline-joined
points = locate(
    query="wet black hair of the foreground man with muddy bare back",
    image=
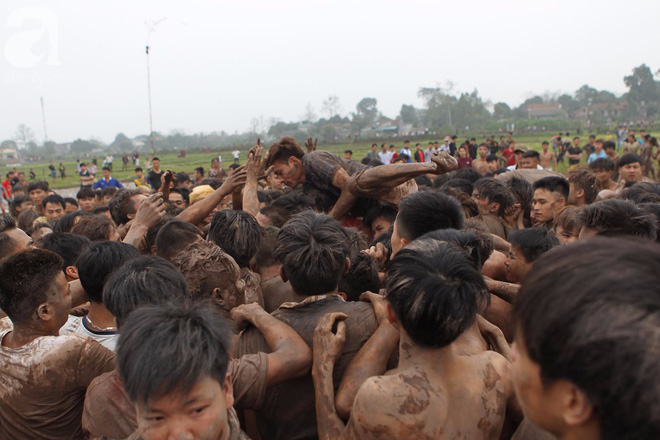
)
(433, 289)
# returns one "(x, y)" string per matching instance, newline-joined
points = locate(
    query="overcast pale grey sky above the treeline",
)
(215, 65)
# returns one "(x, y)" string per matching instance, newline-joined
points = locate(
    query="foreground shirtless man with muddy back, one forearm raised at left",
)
(435, 392)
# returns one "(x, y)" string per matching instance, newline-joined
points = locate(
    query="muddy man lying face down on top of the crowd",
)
(349, 180)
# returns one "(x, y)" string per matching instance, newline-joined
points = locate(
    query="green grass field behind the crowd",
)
(196, 159)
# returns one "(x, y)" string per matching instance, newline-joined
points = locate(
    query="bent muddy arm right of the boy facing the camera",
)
(290, 357)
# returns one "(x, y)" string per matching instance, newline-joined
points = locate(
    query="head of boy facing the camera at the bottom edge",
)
(170, 378)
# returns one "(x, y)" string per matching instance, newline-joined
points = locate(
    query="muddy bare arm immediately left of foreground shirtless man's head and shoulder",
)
(371, 360)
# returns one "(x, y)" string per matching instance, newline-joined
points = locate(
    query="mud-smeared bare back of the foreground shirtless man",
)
(468, 400)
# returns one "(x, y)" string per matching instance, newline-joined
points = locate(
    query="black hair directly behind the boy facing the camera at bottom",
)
(146, 280)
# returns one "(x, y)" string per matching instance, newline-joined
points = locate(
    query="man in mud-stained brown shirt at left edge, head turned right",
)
(44, 375)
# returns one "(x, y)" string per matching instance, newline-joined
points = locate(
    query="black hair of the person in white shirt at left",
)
(98, 261)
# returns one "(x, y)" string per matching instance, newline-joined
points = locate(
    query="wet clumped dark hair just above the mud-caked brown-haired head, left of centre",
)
(237, 233)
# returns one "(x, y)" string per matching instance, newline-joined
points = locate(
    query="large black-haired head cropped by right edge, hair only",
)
(599, 332)
